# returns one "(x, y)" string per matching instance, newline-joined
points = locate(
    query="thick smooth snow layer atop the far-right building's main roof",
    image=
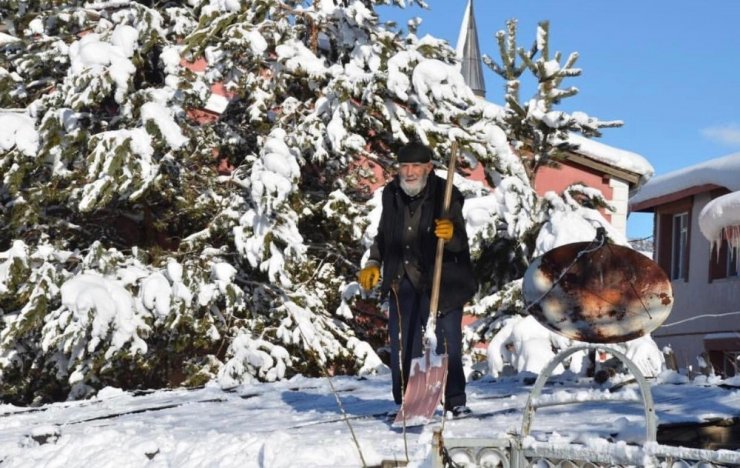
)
(724, 172)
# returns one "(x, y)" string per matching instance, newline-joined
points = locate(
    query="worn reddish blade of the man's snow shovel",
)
(423, 389)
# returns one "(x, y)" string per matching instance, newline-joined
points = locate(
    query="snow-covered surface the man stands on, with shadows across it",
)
(297, 423)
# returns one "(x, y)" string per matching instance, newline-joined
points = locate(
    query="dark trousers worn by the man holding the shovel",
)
(410, 309)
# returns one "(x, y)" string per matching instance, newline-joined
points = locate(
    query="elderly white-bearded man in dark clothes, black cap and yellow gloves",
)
(410, 224)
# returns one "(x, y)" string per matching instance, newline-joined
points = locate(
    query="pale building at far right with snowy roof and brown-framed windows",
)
(703, 272)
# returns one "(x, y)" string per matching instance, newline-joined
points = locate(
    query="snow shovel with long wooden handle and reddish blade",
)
(428, 373)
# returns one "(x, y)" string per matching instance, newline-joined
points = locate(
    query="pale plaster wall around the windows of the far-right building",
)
(697, 299)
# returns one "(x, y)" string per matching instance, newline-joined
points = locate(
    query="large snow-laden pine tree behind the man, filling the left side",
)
(139, 248)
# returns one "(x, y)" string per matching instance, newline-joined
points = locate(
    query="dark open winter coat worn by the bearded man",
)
(457, 283)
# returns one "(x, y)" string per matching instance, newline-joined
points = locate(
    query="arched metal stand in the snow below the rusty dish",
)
(647, 396)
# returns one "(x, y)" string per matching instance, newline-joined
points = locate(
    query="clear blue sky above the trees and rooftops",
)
(670, 70)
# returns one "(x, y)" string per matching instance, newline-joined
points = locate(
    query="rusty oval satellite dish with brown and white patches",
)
(597, 292)
